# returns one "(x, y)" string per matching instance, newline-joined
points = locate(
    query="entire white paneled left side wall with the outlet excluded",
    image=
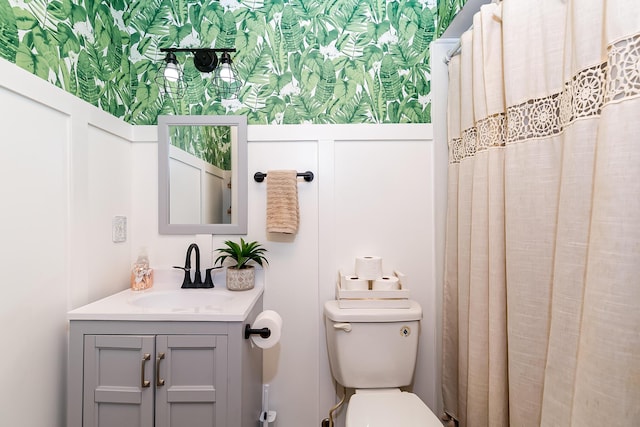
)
(64, 173)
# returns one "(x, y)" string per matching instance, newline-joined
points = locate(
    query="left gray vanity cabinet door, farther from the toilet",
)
(115, 370)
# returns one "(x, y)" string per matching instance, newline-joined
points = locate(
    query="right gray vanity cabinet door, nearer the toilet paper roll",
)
(191, 387)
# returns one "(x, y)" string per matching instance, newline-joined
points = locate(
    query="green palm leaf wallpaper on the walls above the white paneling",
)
(300, 61)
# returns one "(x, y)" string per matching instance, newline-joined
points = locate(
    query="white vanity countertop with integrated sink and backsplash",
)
(166, 301)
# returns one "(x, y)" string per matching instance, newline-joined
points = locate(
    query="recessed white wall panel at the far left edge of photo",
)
(33, 270)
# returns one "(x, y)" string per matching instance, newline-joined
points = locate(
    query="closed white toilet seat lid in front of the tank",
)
(389, 407)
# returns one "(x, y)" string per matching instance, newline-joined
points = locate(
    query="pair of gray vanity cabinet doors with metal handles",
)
(181, 379)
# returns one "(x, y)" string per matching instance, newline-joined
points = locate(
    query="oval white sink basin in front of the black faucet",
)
(184, 299)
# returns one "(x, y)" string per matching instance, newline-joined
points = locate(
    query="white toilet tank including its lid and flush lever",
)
(372, 348)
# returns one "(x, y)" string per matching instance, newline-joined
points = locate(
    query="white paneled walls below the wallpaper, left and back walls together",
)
(374, 193)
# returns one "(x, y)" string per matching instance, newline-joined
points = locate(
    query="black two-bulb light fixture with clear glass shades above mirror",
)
(225, 80)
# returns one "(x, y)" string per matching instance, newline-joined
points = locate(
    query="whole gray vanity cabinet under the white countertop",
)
(163, 373)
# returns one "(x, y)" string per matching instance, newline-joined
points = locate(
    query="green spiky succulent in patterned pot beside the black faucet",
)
(241, 275)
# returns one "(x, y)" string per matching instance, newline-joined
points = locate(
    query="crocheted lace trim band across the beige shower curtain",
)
(584, 95)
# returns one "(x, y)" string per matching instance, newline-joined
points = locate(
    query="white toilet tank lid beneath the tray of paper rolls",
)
(333, 312)
